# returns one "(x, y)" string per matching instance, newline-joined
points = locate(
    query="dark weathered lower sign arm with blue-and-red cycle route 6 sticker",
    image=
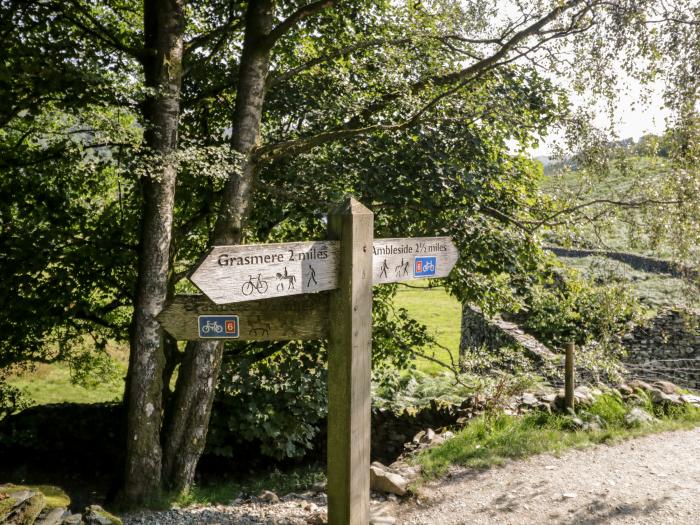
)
(192, 317)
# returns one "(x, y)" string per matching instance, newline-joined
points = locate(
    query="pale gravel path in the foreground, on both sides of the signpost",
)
(650, 480)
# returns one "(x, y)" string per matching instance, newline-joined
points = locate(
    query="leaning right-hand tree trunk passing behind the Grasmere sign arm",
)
(194, 393)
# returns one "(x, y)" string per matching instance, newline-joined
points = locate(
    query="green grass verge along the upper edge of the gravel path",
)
(491, 440)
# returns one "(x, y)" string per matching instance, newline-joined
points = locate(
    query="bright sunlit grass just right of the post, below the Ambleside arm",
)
(441, 313)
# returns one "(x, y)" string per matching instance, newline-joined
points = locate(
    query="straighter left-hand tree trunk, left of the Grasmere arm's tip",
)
(164, 28)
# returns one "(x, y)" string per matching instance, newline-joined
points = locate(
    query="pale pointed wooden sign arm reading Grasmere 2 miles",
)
(230, 274)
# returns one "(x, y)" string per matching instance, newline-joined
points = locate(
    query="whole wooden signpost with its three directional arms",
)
(253, 293)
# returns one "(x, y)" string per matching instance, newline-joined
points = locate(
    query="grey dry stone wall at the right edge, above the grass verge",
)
(666, 347)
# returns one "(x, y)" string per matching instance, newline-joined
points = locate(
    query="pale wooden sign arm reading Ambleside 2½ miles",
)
(412, 258)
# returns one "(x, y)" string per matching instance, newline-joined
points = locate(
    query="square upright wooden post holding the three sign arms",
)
(349, 366)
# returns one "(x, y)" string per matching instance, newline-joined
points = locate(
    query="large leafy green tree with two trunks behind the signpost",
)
(266, 98)
